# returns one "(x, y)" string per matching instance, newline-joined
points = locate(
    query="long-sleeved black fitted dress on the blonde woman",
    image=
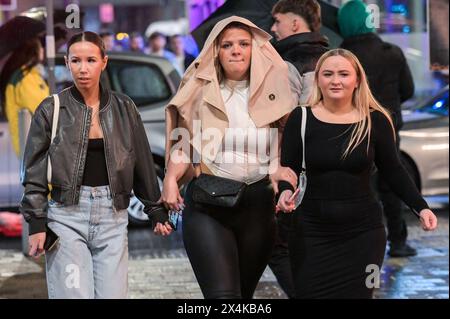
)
(337, 234)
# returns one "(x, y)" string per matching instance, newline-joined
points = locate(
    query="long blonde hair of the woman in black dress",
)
(362, 99)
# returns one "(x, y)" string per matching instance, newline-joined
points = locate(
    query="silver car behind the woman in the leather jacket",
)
(150, 81)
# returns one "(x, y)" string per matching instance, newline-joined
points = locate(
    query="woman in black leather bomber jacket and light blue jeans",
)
(99, 154)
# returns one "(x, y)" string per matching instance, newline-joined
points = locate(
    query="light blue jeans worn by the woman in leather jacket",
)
(91, 259)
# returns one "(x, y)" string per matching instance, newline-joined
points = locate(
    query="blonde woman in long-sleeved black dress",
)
(337, 238)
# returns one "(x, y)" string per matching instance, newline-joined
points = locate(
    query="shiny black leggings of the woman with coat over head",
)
(229, 248)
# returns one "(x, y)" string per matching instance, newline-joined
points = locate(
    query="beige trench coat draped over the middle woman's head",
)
(199, 96)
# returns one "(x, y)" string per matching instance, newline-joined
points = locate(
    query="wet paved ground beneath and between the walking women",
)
(160, 269)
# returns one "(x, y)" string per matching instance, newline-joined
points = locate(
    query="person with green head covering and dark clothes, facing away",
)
(391, 82)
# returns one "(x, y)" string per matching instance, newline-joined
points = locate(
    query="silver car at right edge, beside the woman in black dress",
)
(424, 144)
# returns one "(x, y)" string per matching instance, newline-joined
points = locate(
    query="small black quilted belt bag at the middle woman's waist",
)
(217, 191)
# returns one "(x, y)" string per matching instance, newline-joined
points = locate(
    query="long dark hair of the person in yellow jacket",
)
(26, 56)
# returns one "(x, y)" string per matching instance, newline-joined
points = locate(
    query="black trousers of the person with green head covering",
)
(393, 210)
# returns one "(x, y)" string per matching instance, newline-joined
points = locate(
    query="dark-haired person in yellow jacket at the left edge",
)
(22, 85)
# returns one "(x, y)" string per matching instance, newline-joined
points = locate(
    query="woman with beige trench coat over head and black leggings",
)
(238, 82)
